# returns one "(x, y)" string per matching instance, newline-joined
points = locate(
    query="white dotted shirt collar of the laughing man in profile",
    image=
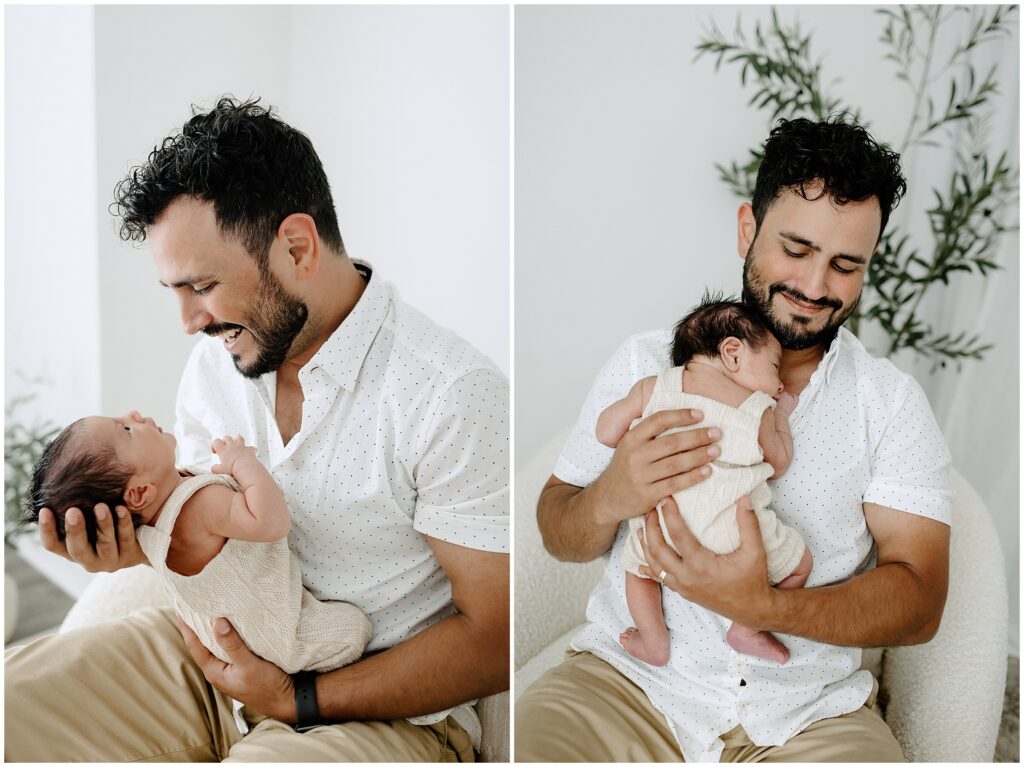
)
(343, 355)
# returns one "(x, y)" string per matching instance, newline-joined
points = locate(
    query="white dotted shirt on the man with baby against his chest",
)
(863, 433)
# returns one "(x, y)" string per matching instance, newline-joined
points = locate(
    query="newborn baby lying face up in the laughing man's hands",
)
(220, 541)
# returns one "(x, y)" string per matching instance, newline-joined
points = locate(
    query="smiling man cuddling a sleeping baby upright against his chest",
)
(868, 479)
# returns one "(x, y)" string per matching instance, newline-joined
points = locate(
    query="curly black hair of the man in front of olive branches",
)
(850, 164)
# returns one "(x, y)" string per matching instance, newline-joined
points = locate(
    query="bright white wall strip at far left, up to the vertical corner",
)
(52, 282)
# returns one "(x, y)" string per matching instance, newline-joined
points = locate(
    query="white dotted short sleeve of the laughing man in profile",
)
(463, 478)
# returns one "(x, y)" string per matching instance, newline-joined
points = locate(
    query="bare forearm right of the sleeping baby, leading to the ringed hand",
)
(888, 607)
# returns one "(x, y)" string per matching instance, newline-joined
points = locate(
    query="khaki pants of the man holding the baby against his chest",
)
(585, 711)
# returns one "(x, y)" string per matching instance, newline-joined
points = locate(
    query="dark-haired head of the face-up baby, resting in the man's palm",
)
(125, 461)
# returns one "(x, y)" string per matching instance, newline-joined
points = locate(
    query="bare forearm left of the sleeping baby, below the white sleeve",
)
(569, 524)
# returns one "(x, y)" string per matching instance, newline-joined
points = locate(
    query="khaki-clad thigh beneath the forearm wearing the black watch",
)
(397, 741)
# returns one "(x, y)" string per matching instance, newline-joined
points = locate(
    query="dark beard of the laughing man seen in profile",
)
(277, 321)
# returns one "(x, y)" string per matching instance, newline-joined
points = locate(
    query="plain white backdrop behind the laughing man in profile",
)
(408, 109)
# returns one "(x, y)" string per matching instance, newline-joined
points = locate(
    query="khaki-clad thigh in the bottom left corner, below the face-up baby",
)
(121, 691)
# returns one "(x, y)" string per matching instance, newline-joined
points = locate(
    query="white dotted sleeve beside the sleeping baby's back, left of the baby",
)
(583, 459)
